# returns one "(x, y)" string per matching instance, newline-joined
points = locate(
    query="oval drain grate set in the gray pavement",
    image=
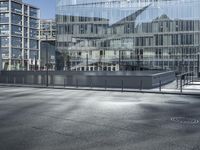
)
(184, 120)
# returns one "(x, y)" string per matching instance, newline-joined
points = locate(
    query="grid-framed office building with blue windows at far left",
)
(19, 35)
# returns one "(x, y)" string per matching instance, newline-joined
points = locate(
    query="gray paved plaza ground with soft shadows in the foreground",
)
(58, 119)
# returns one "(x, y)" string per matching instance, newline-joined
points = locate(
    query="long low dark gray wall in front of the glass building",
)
(135, 80)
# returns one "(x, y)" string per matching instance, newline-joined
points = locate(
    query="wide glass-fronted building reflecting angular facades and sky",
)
(128, 34)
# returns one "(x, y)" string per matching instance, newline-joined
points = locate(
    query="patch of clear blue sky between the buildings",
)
(47, 7)
